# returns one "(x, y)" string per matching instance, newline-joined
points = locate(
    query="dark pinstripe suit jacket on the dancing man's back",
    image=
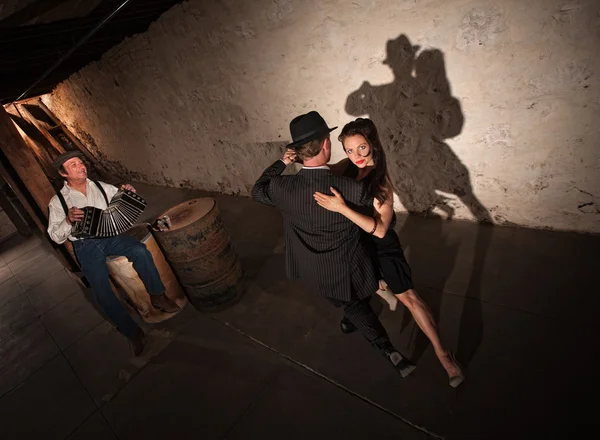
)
(323, 249)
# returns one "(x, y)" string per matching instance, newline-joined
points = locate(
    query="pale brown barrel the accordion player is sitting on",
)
(127, 279)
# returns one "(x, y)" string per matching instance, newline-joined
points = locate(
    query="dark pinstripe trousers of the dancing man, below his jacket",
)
(360, 313)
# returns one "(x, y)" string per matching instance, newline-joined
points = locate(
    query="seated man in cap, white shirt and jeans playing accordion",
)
(78, 192)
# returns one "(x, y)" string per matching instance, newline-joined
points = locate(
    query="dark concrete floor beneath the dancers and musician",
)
(517, 306)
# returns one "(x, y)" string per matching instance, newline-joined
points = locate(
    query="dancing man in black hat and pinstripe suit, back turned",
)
(324, 249)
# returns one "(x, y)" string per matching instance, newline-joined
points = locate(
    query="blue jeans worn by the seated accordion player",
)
(92, 253)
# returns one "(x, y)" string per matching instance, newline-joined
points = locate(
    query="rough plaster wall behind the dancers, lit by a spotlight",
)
(487, 109)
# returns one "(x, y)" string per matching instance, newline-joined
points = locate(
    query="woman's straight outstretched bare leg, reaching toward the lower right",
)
(424, 319)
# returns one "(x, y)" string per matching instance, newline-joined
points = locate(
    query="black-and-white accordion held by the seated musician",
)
(121, 214)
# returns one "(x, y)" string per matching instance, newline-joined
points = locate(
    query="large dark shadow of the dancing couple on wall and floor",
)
(415, 114)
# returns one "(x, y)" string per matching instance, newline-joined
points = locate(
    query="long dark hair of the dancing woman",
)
(366, 128)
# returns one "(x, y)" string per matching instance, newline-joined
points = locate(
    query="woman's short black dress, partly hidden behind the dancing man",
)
(393, 267)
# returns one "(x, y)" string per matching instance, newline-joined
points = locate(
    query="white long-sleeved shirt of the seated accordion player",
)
(59, 228)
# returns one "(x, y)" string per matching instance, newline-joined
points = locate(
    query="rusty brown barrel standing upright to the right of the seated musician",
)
(199, 250)
